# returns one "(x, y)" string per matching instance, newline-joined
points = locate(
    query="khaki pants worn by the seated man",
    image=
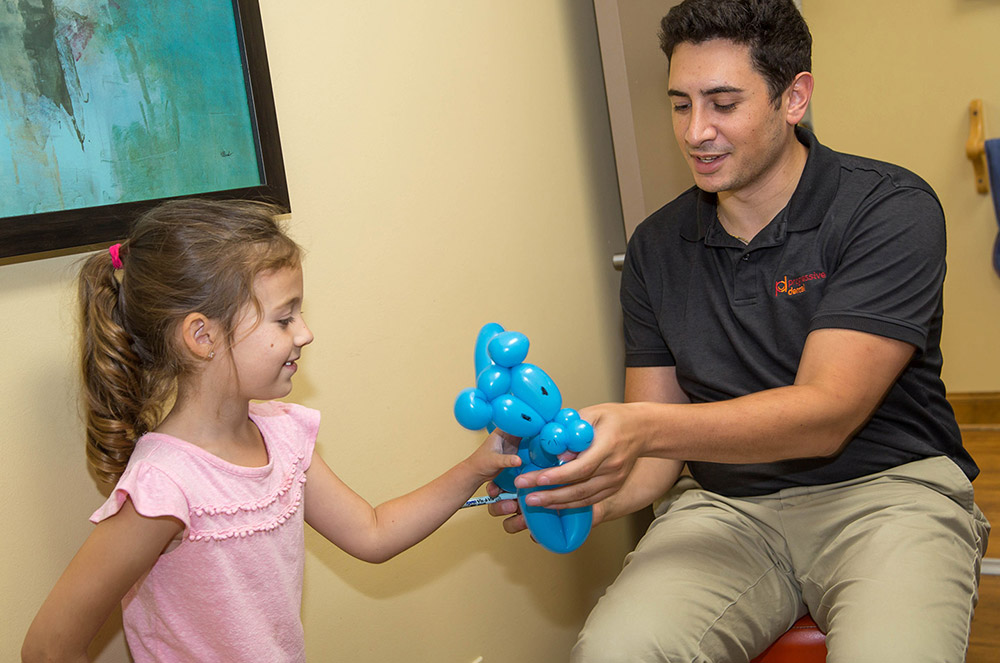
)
(888, 566)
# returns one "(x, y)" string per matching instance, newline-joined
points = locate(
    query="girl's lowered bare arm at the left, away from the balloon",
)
(115, 555)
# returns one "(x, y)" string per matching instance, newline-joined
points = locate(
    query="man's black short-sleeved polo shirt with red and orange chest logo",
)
(860, 245)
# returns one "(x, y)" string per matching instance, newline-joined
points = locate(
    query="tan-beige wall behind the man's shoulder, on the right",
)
(894, 82)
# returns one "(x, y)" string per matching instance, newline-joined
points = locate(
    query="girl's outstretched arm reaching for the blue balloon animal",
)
(378, 534)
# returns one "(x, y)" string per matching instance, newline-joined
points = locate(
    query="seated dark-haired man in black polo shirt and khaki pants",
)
(782, 328)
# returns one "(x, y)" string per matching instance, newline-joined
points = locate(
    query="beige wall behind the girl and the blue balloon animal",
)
(450, 164)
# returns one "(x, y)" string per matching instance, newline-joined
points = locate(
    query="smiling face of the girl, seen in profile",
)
(266, 348)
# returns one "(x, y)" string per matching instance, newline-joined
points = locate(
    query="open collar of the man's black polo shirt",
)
(814, 194)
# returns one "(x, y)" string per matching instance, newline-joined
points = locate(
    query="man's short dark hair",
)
(775, 32)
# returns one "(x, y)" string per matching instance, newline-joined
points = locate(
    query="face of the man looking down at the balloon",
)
(726, 126)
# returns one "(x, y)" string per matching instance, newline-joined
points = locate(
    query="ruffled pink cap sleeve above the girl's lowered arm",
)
(152, 492)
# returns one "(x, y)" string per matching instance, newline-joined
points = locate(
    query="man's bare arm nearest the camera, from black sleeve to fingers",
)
(842, 377)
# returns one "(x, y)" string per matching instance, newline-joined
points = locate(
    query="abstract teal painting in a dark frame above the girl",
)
(107, 106)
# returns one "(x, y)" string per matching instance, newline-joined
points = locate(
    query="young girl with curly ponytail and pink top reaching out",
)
(202, 539)
